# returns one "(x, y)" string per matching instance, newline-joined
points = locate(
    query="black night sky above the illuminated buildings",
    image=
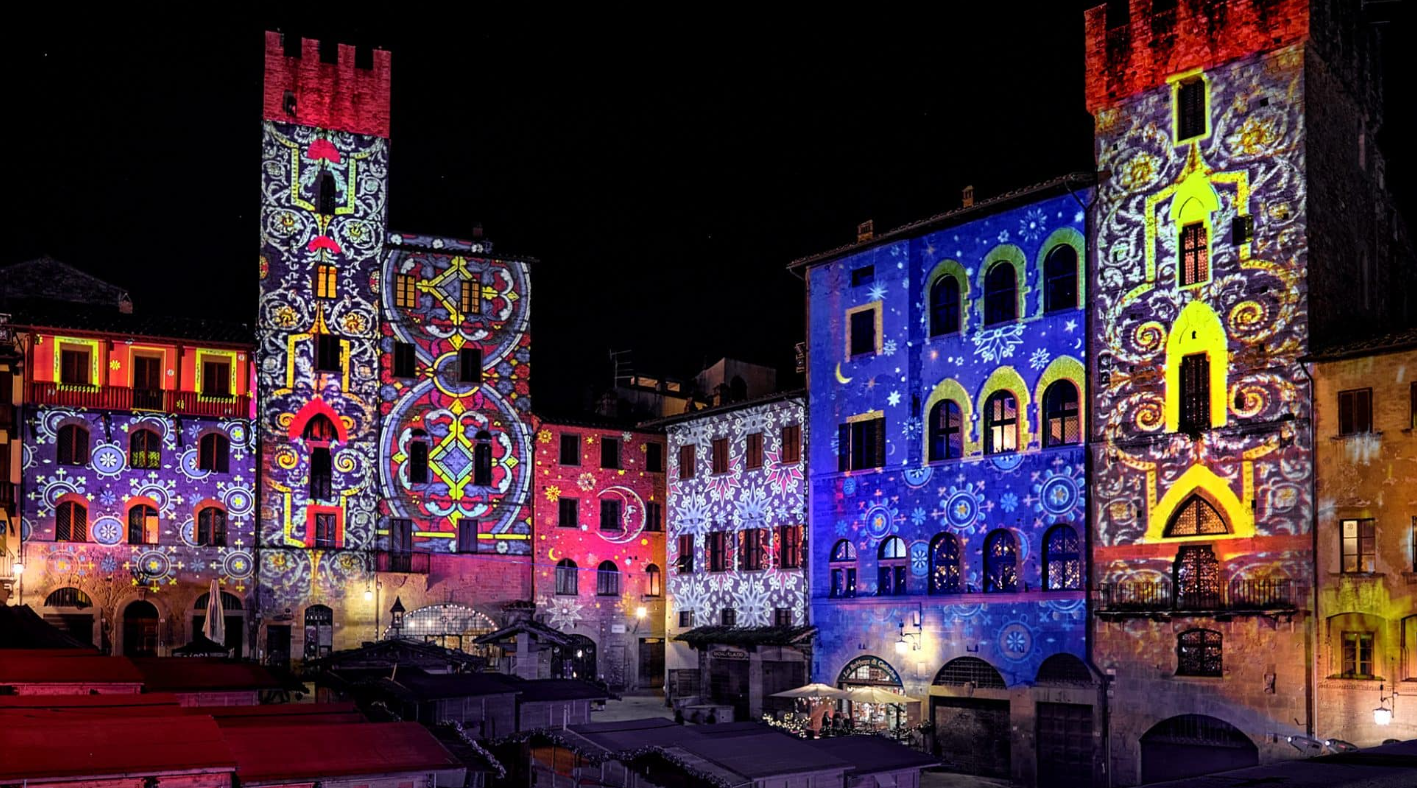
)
(662, 172)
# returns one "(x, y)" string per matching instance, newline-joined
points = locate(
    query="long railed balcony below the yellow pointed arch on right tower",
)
(1239, 597)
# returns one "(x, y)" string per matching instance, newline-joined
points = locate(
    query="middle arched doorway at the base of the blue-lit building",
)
(973, 732)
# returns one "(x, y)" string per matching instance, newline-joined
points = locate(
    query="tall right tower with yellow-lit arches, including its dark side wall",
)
(1241, 225)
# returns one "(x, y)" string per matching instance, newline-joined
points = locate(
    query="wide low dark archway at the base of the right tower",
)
(1194, 745)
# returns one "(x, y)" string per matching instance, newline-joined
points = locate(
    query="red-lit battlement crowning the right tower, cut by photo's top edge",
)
(1137, 45)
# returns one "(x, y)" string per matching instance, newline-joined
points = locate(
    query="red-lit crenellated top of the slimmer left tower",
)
(332, 96)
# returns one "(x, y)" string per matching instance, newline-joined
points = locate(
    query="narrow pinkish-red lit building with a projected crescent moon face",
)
(600, 549)
